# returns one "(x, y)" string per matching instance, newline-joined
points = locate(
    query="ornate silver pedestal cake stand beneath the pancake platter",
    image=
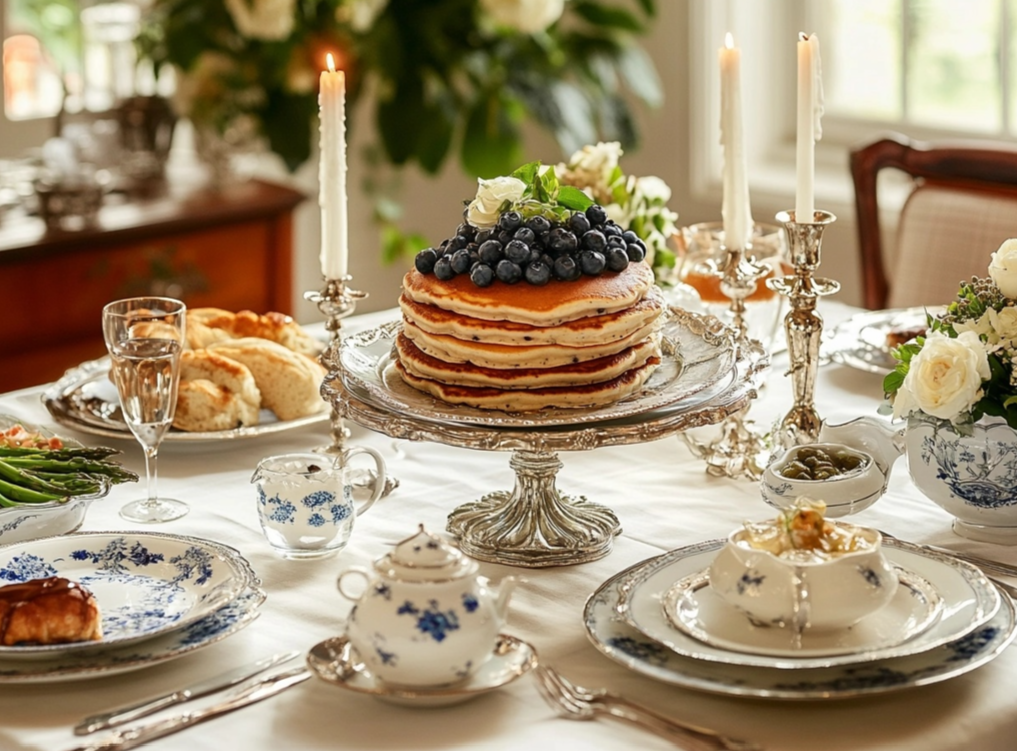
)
(535, 526)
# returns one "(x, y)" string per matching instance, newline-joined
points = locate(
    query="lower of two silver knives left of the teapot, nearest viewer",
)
(249, 695)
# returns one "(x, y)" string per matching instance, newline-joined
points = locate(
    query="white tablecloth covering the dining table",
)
(665, 500)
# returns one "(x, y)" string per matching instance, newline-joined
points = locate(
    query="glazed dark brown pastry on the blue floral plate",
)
(53, 611)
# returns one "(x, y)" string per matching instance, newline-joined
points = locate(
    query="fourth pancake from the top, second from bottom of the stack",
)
(591, 372)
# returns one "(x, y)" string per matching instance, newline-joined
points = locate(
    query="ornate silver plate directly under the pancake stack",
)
(697, 355)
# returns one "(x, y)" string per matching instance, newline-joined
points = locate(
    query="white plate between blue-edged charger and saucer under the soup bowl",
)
(970, 600)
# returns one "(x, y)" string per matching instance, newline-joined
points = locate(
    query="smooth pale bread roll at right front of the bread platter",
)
(289, 382)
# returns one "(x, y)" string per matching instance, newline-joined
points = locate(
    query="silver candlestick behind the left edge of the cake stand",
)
(337, 301)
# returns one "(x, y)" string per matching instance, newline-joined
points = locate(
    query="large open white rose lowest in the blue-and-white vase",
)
(945, 378)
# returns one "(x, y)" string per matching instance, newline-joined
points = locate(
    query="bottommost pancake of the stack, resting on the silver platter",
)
(530, 400)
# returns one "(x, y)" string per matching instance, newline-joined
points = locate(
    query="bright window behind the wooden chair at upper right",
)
(922, 64)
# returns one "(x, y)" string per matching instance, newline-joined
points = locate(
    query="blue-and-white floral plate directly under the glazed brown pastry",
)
(146, 585)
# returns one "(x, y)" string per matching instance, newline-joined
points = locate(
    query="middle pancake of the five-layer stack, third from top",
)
(484, 355)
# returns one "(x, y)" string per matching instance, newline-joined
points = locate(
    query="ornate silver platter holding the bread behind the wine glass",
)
(85, 399)
